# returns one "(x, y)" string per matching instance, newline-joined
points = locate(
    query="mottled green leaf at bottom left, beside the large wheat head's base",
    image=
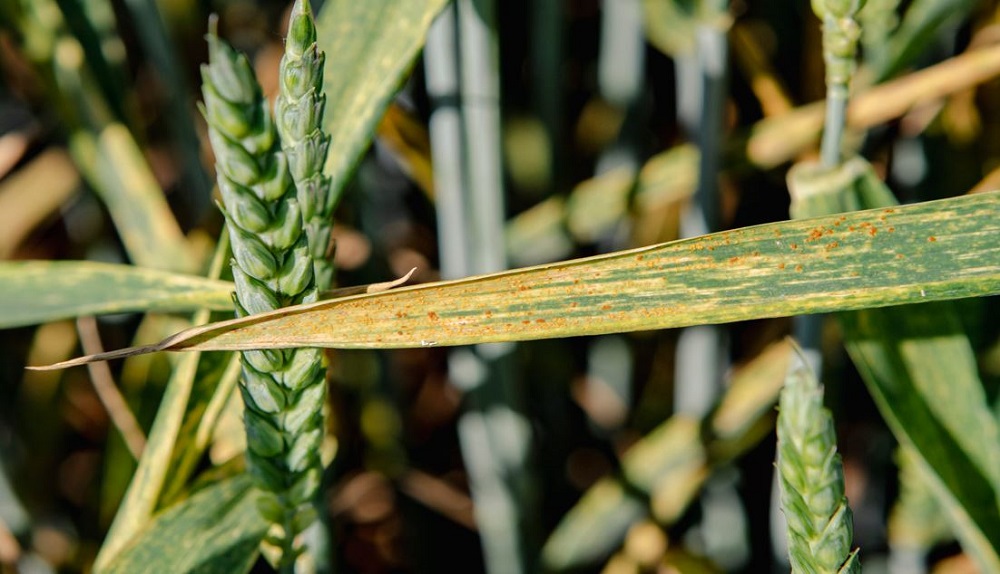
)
(217, 530)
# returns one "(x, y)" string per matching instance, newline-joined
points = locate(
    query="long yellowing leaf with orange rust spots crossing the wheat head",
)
(931, 251)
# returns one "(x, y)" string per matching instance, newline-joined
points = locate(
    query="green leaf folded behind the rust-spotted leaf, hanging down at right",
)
(921, 370)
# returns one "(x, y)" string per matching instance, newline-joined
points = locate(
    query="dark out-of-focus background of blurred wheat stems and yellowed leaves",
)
(610, 114)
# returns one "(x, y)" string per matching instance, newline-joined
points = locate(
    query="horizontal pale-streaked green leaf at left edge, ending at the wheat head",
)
(38, 291)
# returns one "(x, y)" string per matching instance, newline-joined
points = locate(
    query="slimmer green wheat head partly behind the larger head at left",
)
(299, 116)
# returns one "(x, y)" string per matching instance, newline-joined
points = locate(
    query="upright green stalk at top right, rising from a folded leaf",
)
(840, 44)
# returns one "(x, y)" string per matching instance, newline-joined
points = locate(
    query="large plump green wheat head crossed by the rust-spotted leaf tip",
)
(283, 390)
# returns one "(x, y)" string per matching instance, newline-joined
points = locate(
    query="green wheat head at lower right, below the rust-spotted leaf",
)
(811, 476)
